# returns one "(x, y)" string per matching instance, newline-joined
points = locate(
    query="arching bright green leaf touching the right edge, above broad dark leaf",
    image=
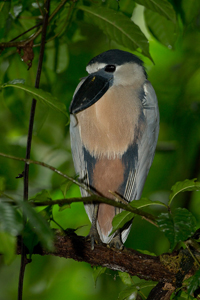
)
(183, 186)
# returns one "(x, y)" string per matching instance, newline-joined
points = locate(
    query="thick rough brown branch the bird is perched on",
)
(161, 268)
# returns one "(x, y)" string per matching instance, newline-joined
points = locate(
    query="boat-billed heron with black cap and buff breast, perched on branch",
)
(114, 129)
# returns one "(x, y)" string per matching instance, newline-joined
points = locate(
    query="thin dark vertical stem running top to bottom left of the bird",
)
(24, 260)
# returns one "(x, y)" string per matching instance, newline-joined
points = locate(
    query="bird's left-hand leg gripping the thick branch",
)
(93, 235)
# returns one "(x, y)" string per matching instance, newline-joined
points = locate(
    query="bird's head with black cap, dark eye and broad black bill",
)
(108, 69)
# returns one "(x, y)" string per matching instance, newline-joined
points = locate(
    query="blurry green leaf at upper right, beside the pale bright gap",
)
(162, 29)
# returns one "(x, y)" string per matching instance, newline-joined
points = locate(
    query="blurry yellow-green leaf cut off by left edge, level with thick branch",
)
(7, 246)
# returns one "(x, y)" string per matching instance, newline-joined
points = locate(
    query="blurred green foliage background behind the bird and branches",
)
(79, 31)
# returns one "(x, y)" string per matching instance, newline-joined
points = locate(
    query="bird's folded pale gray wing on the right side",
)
(146, 146)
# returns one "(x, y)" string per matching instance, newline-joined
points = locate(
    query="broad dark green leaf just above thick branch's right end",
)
(178, 226)
